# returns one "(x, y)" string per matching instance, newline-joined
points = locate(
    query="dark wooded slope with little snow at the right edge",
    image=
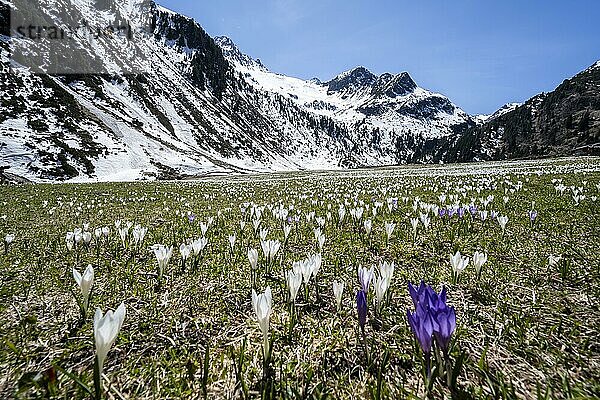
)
(563, 122)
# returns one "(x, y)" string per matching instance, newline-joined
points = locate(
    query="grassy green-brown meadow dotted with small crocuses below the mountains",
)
(526, 323)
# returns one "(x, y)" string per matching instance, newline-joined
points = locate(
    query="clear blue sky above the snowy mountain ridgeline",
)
(482, 54)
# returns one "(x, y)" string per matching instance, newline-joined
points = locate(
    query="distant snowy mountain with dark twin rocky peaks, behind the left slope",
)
(392, 104)
